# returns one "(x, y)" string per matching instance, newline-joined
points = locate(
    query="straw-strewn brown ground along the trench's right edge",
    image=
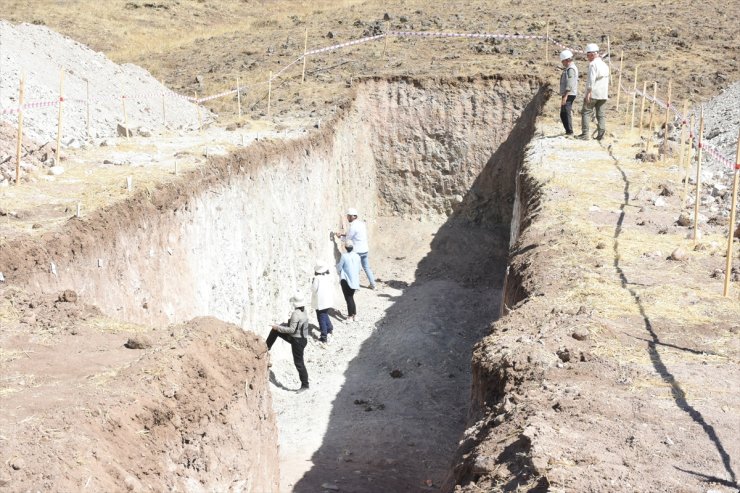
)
(613, 368)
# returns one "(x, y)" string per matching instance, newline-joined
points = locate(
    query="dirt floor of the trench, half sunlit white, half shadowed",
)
(390, 394)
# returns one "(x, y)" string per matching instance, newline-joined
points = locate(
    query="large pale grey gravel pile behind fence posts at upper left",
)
(43, 54)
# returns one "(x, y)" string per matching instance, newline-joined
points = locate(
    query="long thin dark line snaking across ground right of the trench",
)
(678, 394)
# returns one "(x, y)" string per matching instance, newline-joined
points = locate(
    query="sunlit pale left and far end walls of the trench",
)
(237, 241)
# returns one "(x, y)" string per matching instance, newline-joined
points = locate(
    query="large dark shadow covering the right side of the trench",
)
(396, 422)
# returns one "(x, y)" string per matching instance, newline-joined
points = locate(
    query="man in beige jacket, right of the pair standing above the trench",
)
(597, 93)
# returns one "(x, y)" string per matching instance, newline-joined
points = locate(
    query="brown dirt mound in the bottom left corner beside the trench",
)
(187, 410)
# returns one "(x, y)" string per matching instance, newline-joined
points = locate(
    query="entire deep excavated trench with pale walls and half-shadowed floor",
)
(433, 167)
